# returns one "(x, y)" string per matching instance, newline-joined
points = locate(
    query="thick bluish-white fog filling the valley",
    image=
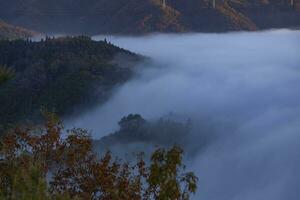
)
(245, 85)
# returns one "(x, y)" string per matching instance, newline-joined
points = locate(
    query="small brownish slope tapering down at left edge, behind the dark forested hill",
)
(13, 32)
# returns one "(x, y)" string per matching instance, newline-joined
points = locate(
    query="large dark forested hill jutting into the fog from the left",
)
(62, 75)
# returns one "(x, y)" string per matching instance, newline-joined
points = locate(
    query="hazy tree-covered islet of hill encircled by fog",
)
(134, 128)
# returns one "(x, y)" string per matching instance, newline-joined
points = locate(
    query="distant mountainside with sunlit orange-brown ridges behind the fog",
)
(144, 16)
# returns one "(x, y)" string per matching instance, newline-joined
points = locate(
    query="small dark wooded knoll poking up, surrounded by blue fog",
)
(137, 134)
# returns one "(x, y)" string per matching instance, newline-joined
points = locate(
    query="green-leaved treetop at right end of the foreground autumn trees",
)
(165, 180)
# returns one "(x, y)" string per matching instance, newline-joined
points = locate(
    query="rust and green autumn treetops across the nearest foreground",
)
(38, 163)
